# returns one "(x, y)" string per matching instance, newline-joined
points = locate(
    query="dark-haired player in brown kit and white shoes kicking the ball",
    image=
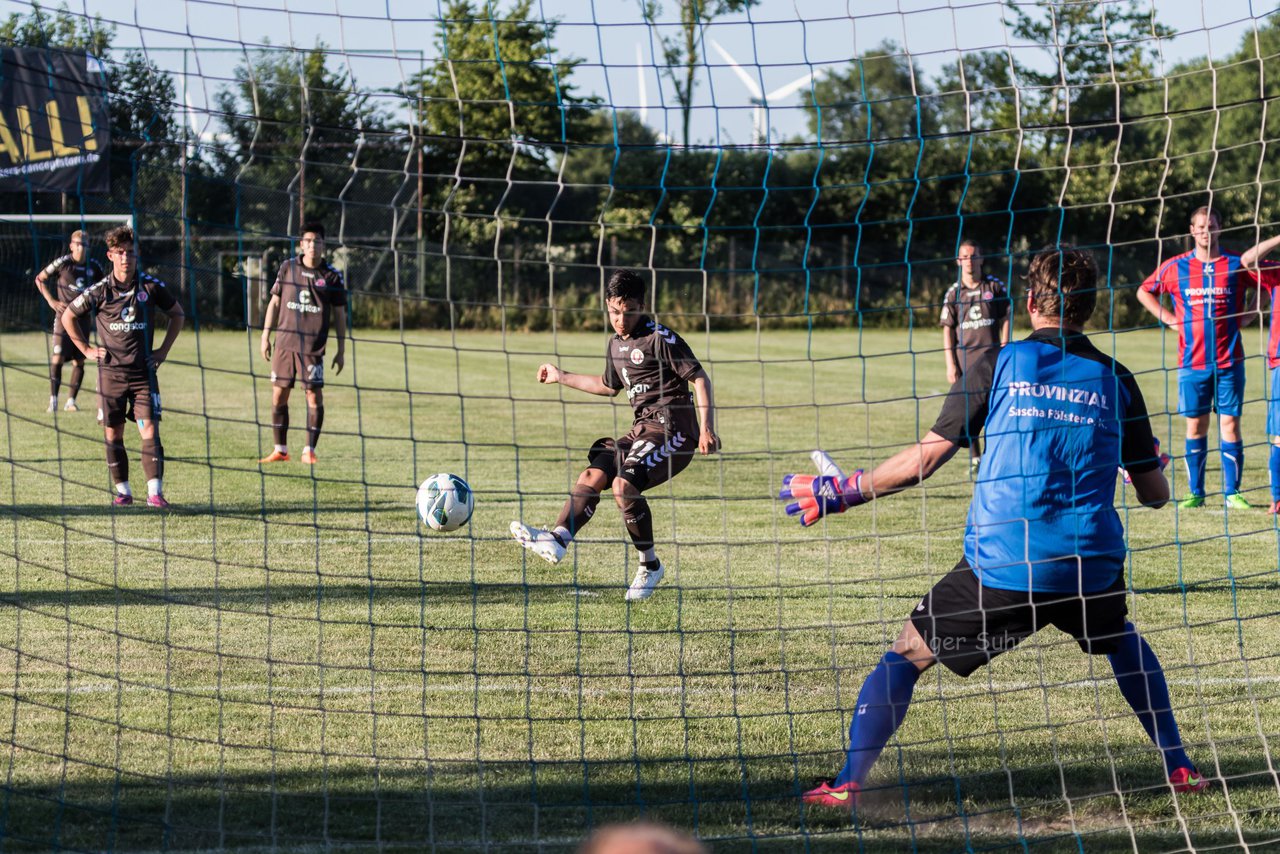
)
(656, 368)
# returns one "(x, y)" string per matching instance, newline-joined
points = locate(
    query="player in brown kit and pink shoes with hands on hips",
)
(125, 305)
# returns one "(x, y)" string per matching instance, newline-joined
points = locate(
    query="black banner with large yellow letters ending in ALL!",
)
(54, 127)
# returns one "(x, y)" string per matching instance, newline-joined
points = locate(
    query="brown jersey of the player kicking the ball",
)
(655, 367)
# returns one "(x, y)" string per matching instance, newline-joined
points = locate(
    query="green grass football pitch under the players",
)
(289, 661)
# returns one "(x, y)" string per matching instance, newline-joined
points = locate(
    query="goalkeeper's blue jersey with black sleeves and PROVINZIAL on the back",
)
(1059, 418)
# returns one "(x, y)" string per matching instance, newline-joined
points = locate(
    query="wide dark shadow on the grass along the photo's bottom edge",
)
(752, 805)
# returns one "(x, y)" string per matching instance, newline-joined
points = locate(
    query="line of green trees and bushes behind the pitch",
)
(497, 190)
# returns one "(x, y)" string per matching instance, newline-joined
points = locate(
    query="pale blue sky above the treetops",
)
(775, 44)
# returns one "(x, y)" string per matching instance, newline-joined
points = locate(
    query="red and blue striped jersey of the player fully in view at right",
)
(1209, 300)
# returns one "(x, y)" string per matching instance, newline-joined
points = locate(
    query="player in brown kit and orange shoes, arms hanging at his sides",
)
(308, 293)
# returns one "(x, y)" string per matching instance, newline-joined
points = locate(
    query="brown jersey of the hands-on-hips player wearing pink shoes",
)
(126, 317)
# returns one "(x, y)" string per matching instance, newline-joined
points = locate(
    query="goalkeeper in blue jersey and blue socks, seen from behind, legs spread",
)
(1058, 415)
